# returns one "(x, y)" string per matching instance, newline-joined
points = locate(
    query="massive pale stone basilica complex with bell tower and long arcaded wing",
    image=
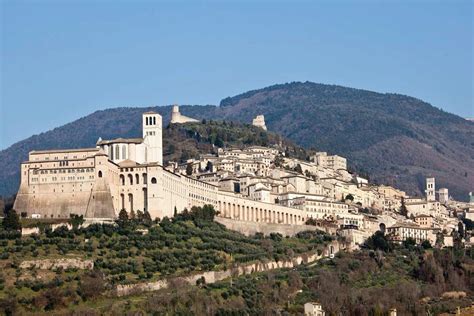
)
(128, 173)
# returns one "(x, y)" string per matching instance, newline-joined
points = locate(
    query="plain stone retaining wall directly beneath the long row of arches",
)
(250, 228)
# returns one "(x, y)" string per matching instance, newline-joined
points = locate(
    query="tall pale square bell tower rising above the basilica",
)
(152, 137)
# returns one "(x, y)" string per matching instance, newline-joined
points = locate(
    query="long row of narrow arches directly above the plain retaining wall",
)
(256, 214)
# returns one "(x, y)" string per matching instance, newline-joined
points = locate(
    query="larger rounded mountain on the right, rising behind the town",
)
(399, 140)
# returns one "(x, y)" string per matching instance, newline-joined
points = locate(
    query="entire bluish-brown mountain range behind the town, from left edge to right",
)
(398, 140)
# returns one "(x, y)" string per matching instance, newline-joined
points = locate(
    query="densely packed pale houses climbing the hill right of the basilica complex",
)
(330, 195)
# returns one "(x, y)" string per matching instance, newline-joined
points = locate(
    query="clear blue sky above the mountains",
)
(62, 60)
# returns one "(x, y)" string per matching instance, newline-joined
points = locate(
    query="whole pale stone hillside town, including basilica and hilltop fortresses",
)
(249, 184)
